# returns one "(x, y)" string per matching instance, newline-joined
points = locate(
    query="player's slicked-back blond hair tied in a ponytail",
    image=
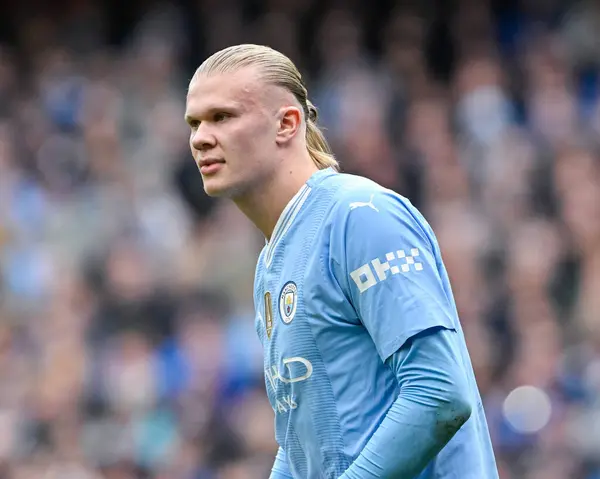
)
(276, 69)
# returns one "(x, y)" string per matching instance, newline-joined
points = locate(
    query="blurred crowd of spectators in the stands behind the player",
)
(127, 346)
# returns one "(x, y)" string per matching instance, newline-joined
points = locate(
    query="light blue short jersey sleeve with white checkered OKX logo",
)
(385, 258)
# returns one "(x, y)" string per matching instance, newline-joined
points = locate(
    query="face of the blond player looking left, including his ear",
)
(236, 131)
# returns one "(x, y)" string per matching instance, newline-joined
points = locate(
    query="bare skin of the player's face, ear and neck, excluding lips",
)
(258, 131)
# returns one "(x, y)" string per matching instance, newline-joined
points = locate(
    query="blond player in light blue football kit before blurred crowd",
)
(366, 366)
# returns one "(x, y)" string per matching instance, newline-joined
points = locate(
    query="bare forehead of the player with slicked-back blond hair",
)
(242, 88)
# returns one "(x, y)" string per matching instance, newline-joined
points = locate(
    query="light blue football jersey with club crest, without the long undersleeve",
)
(351, 272)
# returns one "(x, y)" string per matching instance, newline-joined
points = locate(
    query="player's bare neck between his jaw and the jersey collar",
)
(264, 205)
